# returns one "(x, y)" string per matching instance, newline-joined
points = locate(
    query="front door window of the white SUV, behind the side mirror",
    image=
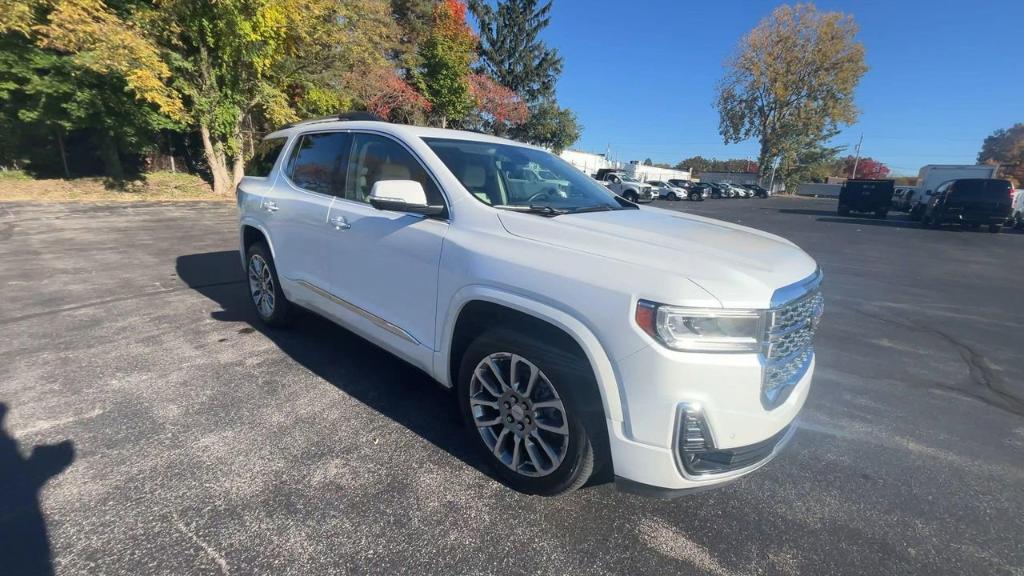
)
(377, 158)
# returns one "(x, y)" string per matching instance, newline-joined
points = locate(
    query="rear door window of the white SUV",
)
(318, 160)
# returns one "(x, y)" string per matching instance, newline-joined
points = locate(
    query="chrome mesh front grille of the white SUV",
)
(789, 344)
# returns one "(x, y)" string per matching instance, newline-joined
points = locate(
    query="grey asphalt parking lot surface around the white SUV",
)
(152, 426)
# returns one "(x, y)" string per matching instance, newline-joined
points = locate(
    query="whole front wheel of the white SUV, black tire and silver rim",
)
(525, 404)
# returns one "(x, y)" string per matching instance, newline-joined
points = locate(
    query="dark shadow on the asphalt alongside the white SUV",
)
(361, 369)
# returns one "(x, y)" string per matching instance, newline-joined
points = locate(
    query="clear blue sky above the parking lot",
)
(642, 75)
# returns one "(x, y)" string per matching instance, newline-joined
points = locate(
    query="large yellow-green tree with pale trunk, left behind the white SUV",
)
(215, 65)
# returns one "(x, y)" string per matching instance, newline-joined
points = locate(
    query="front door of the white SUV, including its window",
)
(385, 265)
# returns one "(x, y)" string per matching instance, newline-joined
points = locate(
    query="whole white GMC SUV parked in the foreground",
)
(579, 333)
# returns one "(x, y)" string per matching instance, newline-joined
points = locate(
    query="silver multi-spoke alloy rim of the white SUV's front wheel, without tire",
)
(520, 415)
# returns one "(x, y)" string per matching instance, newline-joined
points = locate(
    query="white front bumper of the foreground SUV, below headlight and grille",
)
(663, 386)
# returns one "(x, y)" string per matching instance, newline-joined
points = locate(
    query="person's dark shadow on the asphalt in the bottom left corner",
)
(25, 547)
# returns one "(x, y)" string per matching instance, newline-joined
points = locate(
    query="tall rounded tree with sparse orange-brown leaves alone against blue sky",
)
(792, 84)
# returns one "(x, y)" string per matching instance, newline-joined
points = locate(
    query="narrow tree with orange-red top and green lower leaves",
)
(447, 55)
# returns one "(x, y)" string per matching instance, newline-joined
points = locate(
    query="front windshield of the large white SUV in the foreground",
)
(500, 176)
